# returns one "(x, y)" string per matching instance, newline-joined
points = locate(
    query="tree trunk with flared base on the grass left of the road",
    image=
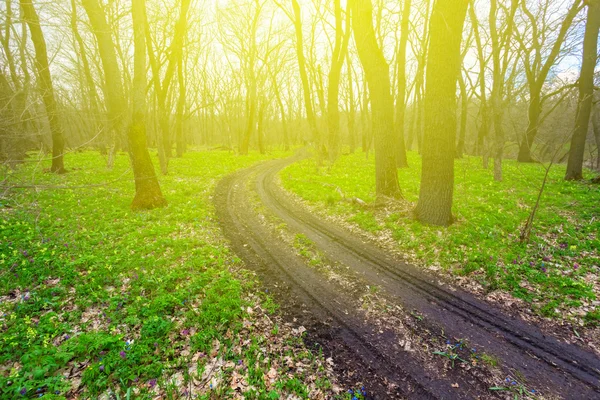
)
(147, 190)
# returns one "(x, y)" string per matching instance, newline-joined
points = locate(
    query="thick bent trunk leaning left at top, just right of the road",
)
(382, 103)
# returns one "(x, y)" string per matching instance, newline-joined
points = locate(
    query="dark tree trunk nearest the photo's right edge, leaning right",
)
(586, 92)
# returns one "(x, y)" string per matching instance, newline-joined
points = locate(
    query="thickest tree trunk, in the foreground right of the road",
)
(439, 143)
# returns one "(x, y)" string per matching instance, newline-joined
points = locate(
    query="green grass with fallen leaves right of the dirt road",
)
(555, 272)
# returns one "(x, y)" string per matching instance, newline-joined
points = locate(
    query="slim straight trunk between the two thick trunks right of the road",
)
(401, 159)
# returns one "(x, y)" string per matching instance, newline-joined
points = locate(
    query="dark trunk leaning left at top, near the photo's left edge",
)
(46, 86)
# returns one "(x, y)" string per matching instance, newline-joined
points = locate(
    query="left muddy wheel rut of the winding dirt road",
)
(389, 371)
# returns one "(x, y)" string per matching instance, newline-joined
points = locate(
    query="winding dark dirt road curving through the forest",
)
(377, 355)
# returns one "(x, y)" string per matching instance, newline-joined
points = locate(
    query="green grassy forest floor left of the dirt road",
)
(96, 299)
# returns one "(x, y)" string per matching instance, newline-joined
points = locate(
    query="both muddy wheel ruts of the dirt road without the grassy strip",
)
(554, 366)
